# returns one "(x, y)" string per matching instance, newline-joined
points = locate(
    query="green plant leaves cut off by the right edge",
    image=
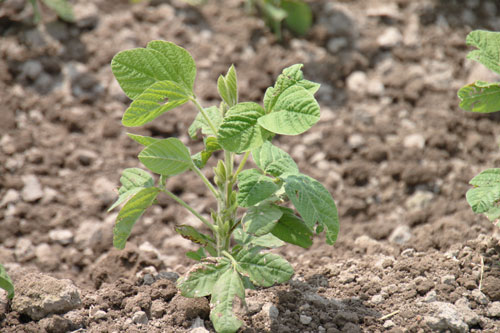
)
(484, 97)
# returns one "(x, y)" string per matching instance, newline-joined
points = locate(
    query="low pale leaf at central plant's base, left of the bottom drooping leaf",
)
(199, 281)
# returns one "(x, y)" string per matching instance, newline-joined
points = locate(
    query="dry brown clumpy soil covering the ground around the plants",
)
(392, 147)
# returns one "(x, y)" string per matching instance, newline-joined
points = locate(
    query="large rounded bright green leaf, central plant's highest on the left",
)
(138, 69)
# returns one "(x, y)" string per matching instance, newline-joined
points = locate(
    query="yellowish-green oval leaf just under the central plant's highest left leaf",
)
(157, 99)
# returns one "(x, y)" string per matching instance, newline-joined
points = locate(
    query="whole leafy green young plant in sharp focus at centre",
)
(252, 212)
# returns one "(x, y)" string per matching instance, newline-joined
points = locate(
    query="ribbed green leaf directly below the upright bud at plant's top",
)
(239, 131)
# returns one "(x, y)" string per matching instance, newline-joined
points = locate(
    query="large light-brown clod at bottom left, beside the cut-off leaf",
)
(38, 295)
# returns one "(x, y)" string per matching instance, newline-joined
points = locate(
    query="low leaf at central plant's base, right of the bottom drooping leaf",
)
(264, 269)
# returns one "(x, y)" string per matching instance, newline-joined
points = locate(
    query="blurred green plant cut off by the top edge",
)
(296, 14)
